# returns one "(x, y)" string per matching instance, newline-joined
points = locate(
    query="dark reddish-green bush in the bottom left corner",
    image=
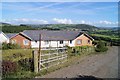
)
(13, 69)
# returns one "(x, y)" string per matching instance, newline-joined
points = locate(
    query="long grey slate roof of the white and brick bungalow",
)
(52, 35)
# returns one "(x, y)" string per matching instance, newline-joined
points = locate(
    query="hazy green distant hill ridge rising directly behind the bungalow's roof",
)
(63, 26)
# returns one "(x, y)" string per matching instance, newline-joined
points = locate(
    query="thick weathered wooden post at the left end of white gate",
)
(35, 58)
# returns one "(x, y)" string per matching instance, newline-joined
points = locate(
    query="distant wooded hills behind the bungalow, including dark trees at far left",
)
(8, 28)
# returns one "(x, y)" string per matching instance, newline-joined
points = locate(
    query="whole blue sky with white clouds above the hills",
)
(104, 14)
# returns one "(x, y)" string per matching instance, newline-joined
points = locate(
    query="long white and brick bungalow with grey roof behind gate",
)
(31, 38)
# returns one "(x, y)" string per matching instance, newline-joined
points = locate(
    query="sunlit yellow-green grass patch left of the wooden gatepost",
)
(16, 54)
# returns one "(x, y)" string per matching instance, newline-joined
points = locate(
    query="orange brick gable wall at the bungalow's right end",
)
(84, 40)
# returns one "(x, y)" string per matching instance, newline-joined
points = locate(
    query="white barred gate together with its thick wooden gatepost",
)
(49, 57)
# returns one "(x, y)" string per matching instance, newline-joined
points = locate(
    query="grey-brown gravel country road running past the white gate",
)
(98, 65)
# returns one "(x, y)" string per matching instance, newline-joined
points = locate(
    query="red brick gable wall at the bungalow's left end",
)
(19, 40)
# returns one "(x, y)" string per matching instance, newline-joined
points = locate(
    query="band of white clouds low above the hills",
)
(101, 23)
